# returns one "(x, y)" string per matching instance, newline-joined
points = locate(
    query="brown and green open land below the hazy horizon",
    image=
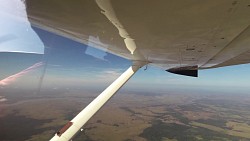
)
(129, 116)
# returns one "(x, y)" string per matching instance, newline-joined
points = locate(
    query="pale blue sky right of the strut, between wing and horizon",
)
(230, 78)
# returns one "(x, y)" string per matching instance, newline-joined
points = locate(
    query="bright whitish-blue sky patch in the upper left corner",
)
(16, 30)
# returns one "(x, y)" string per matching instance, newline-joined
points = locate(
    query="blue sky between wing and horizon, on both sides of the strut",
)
(71, 64)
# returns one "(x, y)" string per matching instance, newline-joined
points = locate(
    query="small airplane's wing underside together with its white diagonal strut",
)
(178, 36)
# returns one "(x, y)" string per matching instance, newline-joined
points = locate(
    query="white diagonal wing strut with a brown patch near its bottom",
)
(75, 125)
